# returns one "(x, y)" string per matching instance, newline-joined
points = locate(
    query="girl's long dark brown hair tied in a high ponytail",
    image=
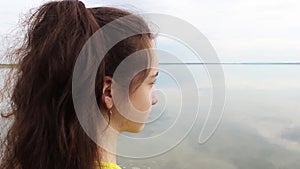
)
(45, 132)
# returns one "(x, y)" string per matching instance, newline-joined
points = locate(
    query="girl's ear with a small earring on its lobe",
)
(107, 92)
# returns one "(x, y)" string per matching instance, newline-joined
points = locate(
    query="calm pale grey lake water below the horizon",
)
(260, 127)
